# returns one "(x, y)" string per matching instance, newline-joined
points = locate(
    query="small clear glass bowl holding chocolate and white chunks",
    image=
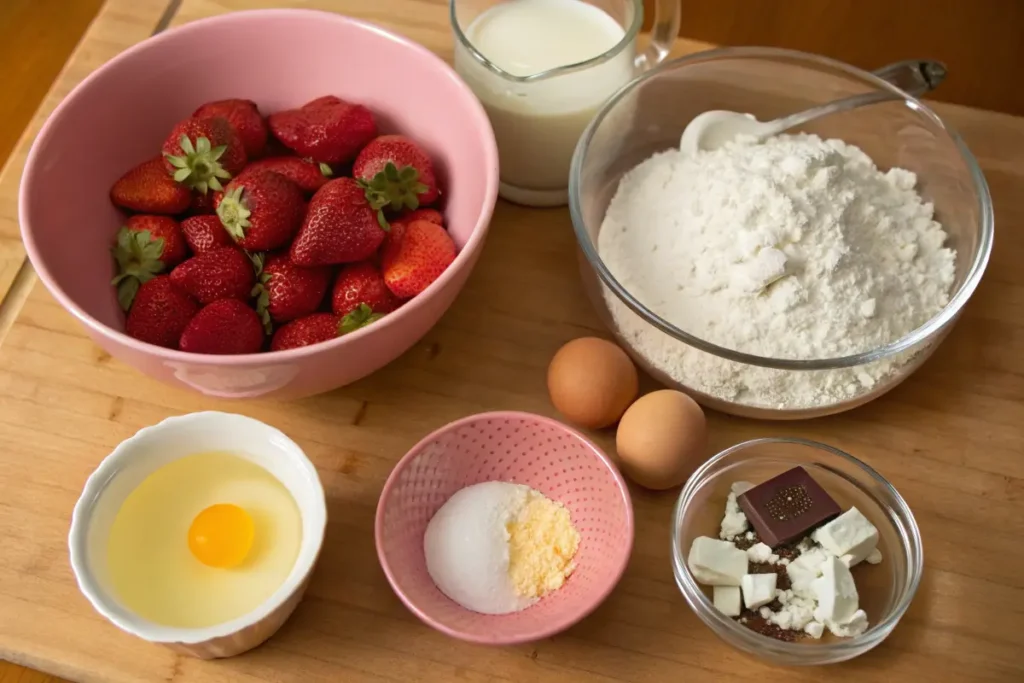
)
(886, 589)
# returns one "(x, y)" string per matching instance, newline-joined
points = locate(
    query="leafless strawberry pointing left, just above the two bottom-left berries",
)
(224, 273)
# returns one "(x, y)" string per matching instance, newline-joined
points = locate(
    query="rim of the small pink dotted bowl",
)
(554, 627)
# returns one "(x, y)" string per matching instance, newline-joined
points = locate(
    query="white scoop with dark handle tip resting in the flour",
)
(714, 130)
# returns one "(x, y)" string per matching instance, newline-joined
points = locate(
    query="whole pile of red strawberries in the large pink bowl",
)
(251, 234)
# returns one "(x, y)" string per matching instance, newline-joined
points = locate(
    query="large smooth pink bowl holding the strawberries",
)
(119, 116)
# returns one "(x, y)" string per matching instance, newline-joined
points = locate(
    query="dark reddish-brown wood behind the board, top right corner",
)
(979, 40)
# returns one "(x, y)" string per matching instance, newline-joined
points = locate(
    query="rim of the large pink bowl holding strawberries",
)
(463, 259)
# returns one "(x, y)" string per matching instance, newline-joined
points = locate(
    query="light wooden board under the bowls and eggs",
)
(951, 439)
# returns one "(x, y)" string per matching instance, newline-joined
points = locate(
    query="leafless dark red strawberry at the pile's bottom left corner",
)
(160, 313)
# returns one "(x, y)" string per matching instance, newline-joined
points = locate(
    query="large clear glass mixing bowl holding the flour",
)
(649, 116)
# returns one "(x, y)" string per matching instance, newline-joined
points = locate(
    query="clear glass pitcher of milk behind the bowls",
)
(539, 116)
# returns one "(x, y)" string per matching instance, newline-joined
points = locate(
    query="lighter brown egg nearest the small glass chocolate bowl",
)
(662, 439)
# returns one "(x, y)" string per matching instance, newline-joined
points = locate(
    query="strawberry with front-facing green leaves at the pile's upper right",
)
(397, 174)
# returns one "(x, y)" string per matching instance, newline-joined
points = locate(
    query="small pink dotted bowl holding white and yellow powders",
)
(520, 448)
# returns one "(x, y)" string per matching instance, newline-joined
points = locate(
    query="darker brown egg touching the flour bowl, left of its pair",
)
(592, 381)
